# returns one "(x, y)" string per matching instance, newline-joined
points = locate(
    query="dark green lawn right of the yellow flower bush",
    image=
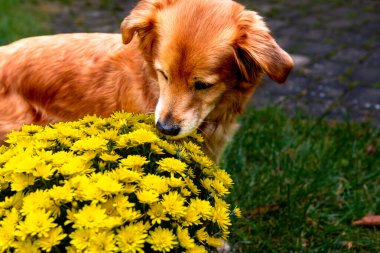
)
(301, 182)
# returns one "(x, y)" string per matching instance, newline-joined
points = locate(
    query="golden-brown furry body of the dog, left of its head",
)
(63, 77)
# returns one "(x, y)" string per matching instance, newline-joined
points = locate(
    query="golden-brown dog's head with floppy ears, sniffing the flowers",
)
(203, 51)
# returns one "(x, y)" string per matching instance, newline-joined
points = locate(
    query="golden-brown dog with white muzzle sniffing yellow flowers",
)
(194, 64)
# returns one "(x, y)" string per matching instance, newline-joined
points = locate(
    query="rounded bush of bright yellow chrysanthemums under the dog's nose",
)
(110, 185)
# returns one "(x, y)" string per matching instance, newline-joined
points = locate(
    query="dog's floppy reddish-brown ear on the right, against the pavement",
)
(257, 51)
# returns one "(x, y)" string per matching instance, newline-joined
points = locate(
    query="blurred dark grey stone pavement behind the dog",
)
(335, 44)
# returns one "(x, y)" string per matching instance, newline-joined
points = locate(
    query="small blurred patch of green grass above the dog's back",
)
(21, 18)
